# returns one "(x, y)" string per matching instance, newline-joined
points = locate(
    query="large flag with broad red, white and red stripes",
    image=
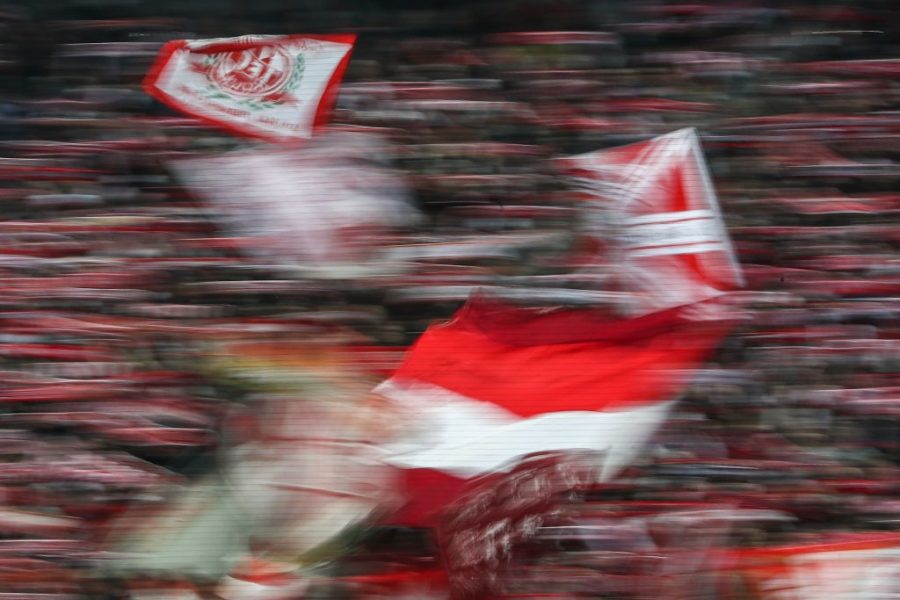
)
(498, 383)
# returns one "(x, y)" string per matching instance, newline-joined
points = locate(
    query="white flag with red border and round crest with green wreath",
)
(279, 88)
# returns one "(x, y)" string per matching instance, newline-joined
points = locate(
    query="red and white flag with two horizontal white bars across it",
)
(673, 248)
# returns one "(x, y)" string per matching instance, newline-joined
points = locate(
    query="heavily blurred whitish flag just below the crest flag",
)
(322, 209)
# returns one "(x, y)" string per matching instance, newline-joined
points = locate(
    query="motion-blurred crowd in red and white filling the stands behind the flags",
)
(115, 277)
